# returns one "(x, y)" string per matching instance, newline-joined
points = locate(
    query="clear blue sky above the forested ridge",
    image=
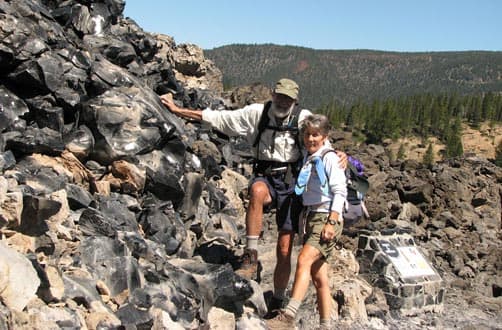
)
(390, 25)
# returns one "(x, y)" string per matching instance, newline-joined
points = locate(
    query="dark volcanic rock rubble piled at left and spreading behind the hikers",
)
(114, 213)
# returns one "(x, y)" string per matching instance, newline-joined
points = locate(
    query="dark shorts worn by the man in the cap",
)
(287, 204)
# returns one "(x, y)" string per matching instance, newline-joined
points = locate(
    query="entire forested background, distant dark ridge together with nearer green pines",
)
(380, 95)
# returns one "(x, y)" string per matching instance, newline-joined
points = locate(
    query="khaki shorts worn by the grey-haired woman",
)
(315, 224)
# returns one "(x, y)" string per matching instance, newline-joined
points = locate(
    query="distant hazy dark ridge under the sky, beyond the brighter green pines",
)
(348, 76)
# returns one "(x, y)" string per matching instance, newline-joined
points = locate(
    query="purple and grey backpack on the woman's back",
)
(357, 186)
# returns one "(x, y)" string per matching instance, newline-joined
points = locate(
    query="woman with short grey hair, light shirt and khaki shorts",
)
(322, 185)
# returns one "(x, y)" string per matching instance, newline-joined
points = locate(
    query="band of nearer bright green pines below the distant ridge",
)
(423, 115)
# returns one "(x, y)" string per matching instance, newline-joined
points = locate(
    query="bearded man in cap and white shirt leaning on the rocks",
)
(277, 154)
